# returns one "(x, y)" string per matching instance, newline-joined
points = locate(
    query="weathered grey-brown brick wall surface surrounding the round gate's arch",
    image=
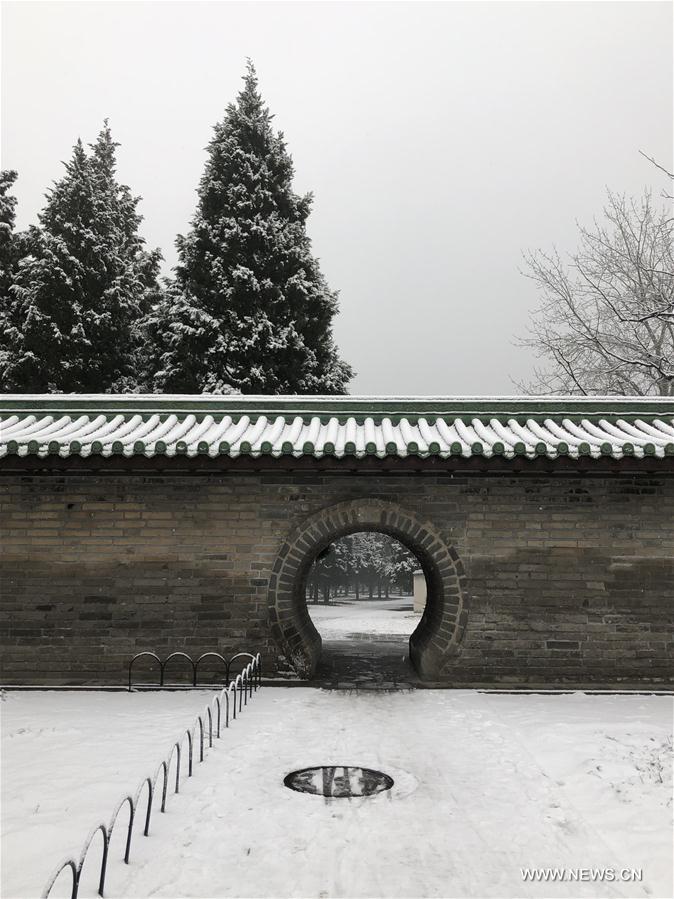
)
(568, 579)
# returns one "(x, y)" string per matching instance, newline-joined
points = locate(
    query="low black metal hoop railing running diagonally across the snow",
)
(205, 726)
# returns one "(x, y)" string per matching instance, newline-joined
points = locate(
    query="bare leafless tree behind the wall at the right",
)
(605, 324)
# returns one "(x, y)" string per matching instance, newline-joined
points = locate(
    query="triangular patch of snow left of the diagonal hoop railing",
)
(67, 758)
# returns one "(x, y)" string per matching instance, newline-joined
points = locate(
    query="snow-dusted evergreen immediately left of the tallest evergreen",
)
(83, 287)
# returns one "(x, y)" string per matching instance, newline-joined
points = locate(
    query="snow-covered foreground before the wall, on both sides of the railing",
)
(485, 784)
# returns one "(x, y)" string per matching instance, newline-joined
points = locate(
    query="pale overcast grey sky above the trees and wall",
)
(439, 139)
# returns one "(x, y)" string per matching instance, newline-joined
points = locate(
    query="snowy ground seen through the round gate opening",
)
(344, 619)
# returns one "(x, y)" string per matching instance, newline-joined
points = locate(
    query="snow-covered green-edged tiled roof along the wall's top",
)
(151, 425)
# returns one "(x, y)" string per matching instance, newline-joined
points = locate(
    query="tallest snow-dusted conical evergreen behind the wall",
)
(249, 310)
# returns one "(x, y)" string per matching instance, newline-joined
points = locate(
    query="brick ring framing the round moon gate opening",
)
(435, 642)
